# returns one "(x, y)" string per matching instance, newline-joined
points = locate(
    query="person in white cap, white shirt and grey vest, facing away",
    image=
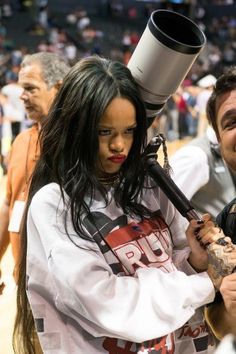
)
(199, 169)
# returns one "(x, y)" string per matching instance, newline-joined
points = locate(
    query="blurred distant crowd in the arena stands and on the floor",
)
(113, 30)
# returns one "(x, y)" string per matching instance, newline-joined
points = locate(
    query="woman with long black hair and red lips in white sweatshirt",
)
(106, 269)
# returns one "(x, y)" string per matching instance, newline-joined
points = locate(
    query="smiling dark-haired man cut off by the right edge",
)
(221, 112)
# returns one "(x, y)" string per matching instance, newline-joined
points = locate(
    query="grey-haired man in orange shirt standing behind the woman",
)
(40, 77)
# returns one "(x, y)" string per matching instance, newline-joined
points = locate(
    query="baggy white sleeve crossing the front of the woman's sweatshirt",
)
(82, 286)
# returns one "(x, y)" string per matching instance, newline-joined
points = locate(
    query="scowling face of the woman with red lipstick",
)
(116, 133)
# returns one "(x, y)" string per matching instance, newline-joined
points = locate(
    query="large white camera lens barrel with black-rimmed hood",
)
(163, 56)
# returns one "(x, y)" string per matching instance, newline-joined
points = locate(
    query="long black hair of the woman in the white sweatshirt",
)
(69, 152)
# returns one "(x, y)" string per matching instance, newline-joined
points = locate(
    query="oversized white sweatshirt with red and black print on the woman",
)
(115, 295)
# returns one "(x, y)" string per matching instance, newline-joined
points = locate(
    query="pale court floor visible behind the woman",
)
(8, 299)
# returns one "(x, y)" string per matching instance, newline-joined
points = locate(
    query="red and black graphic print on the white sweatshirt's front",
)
(128, 245)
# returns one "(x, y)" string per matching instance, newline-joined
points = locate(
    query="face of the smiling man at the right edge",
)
(226, 124)
